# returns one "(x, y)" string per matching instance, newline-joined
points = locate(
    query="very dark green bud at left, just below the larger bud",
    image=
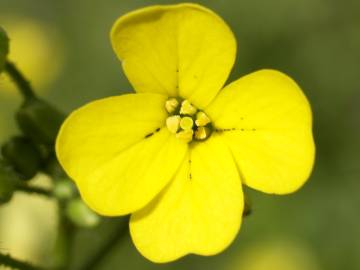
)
(23, 156)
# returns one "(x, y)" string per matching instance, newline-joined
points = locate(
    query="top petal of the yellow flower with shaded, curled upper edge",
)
(181, 49)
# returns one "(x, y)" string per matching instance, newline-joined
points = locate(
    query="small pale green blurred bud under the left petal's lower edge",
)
(81, 215)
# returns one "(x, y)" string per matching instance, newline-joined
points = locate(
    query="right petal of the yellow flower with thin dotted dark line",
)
(266, 121)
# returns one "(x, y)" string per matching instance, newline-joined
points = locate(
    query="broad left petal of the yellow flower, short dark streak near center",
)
(115, 151)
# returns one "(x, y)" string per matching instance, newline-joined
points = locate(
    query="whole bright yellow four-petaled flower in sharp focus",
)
(176, 153)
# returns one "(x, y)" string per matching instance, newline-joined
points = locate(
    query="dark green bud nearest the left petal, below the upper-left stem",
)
(39, 121)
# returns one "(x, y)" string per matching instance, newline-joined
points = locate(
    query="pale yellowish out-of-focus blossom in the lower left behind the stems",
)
(28, 225)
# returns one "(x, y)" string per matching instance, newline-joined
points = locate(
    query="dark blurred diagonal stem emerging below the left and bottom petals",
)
(94, 261)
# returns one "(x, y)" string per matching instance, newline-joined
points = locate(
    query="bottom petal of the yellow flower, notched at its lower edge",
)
(199, 212)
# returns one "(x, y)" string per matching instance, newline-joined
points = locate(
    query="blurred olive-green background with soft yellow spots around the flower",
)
(64, 46)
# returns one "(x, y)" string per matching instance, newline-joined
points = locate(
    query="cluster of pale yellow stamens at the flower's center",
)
(186, 121)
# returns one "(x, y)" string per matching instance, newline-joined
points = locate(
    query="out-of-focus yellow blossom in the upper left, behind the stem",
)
(35, 48)
